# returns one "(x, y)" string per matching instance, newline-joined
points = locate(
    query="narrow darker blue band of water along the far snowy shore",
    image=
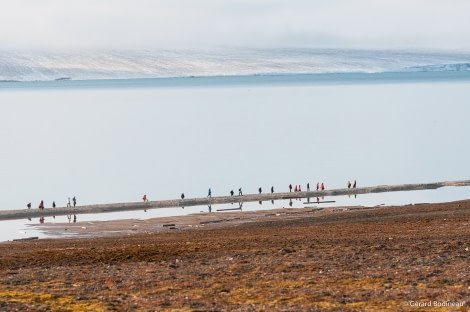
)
(244, 79)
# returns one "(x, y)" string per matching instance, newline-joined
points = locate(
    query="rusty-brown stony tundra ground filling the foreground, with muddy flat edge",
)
(353, 258)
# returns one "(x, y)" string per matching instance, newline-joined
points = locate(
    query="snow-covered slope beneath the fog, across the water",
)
(87, 65)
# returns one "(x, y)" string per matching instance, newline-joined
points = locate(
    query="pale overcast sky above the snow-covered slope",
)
(163, 24)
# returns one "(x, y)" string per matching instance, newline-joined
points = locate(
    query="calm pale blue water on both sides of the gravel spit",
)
(113, 141)
